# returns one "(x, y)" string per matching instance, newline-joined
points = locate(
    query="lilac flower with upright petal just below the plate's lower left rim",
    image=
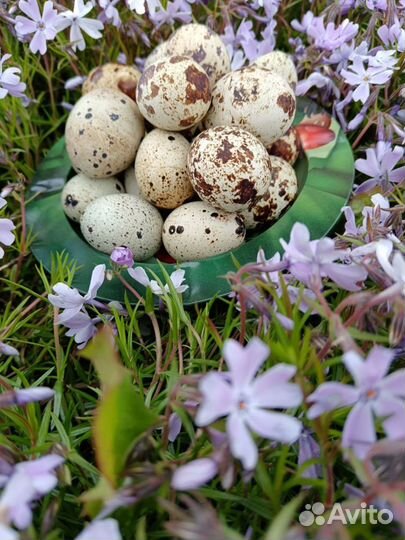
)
(71, 300)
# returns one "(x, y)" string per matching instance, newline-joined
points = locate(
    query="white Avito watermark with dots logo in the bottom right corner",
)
(365, 514)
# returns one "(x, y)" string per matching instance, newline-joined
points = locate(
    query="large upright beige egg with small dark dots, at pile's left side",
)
(103, 133)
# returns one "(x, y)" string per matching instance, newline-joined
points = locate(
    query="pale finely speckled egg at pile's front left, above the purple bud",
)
(123, 220)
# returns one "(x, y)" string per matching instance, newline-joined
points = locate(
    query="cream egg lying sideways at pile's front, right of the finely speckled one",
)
(196, 230)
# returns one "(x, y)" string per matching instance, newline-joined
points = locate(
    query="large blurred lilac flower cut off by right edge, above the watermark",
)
(375, 394)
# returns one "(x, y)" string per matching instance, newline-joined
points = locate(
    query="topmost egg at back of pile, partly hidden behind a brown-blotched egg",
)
(204, 46)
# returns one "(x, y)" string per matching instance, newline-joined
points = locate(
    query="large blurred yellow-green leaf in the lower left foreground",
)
(121, 418)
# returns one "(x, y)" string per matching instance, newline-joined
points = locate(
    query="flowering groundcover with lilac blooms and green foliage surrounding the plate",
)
(275, 413)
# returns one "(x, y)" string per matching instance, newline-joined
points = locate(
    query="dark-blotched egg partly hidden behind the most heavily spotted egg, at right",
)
(281, 192)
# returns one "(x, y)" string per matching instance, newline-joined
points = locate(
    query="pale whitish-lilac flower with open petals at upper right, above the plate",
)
(360, 77)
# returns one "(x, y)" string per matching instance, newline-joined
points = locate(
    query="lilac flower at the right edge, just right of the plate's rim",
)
(379, 164)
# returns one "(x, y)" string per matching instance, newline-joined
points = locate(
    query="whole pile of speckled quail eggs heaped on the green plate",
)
(188, 154)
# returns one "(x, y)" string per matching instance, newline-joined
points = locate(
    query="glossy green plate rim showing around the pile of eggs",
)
(325, 176)
